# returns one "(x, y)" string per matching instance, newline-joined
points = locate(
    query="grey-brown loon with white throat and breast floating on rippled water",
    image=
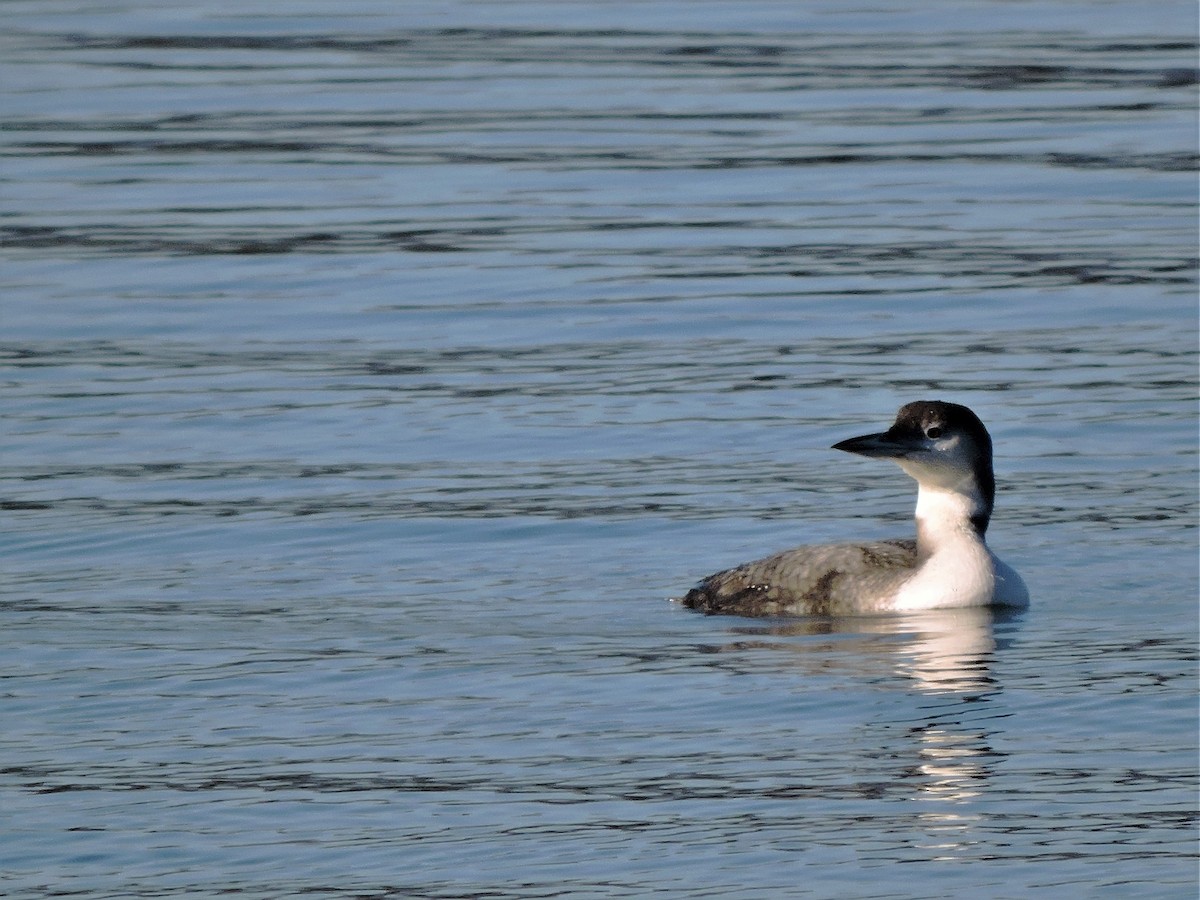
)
(949, 452)
